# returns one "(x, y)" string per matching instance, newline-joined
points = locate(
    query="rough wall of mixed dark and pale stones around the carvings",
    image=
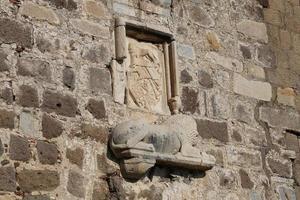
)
(239, 64)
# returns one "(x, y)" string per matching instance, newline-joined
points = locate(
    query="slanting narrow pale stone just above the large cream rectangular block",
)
(226, 62)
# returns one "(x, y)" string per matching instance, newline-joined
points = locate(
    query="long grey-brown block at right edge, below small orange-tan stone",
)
(280, 118)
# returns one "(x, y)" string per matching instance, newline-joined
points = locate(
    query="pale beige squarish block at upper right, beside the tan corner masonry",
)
(254, 30)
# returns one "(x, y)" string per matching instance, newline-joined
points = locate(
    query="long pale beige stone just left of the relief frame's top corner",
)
(90, 28)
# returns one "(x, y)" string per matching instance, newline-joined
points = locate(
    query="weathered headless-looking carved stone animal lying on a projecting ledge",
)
(141, 145)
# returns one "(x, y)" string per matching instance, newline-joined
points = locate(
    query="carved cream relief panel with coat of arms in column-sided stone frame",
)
(144, 69)
